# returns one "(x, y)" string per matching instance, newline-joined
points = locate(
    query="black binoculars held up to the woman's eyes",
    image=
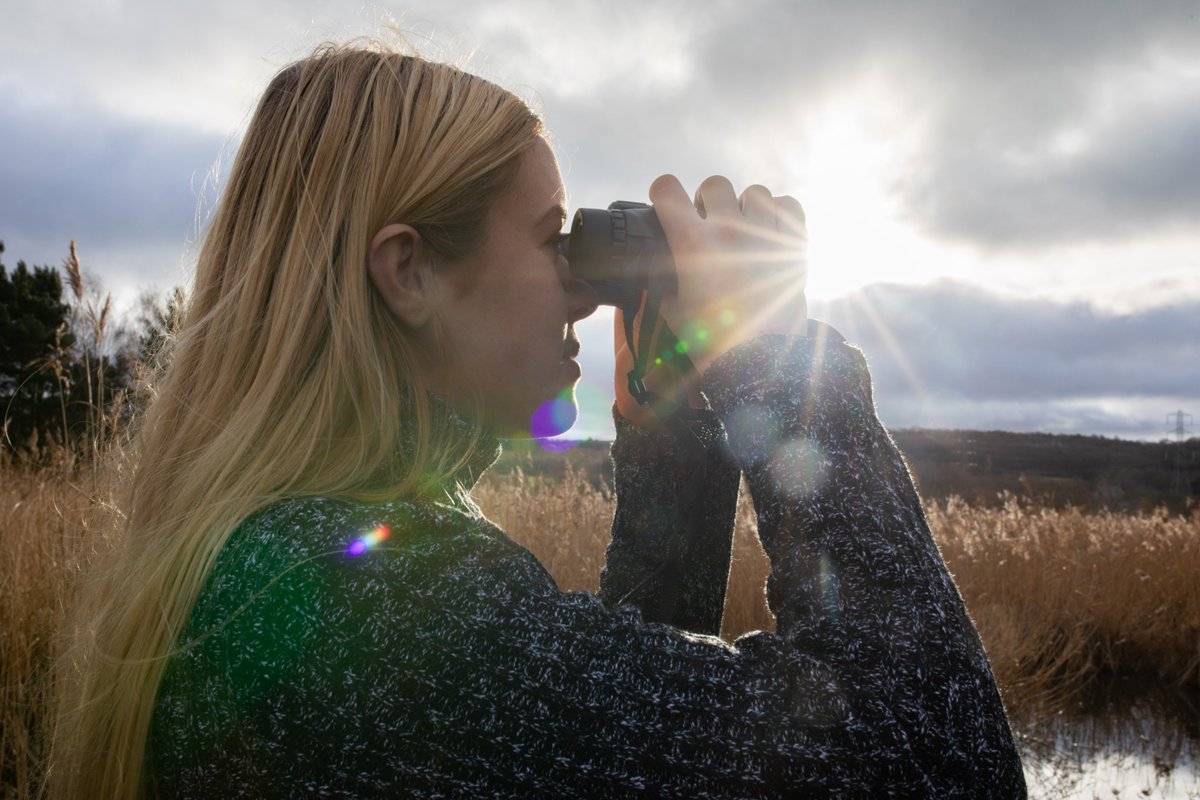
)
(620, 252)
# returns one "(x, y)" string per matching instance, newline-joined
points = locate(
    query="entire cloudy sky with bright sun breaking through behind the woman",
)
(1004, 199)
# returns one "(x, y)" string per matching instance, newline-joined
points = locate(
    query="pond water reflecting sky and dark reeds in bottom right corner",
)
(1127, 739)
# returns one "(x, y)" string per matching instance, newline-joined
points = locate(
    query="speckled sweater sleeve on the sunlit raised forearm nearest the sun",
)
(857, 580)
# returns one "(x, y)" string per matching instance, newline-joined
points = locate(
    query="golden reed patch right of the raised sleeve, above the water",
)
(1063, 598)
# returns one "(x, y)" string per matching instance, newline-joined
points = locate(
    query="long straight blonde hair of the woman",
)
(290, 377)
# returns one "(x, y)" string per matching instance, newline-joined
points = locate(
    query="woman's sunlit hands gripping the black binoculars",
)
(742, 269)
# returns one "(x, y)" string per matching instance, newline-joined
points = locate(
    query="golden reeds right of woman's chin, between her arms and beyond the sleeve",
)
(1061, 598)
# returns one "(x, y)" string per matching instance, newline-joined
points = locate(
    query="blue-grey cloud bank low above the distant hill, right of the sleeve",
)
(953, 356)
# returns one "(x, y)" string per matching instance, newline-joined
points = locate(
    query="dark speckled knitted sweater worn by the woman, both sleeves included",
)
(412, 649)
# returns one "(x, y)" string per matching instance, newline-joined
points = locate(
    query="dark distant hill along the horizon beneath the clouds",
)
(1088, 472)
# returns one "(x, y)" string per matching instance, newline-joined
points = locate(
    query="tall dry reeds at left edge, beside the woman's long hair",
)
(57, 512)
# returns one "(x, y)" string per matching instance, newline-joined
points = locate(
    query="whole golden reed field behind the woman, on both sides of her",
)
(1065, 600)
